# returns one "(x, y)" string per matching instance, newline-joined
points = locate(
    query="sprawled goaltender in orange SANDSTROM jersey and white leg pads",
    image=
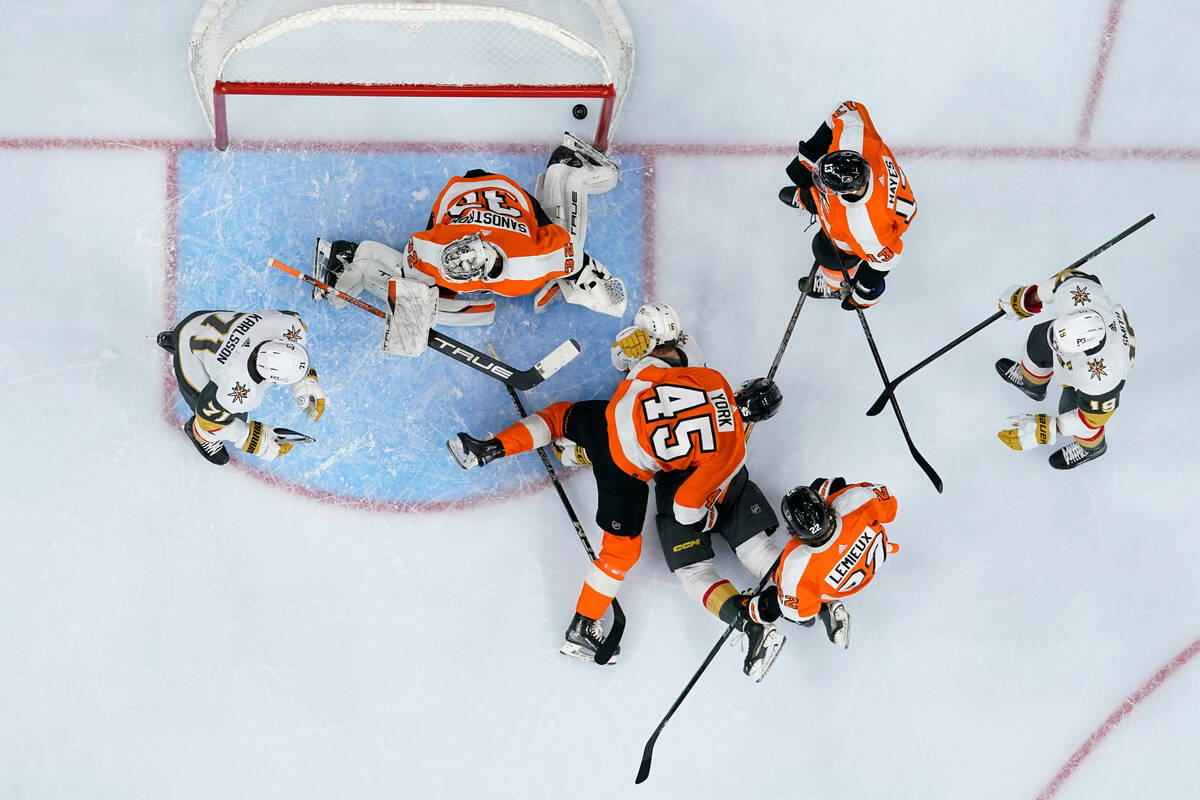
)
(488, 237)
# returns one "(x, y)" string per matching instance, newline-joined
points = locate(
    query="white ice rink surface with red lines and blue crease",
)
(361, 621)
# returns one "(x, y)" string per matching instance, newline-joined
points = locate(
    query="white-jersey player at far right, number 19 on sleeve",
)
(1090, 347)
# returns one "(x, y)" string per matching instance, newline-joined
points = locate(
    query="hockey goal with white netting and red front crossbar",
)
(493, 49)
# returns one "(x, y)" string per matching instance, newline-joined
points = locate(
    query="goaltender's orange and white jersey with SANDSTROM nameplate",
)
(506, 216)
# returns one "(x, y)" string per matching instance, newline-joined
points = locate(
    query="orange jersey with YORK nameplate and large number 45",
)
(665, 418)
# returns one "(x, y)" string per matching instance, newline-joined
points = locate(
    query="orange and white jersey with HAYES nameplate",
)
(869, 227)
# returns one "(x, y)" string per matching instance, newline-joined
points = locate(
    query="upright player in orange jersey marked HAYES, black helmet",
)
(848, 178)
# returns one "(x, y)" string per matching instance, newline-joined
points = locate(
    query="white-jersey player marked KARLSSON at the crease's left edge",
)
(225, 362)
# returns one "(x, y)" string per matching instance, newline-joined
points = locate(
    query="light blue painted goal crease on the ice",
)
(388, 418)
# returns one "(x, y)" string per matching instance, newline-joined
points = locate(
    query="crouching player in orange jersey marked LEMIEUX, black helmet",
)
(838, 543)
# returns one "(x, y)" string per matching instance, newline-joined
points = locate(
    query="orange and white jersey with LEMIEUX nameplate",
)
(809, 576)
